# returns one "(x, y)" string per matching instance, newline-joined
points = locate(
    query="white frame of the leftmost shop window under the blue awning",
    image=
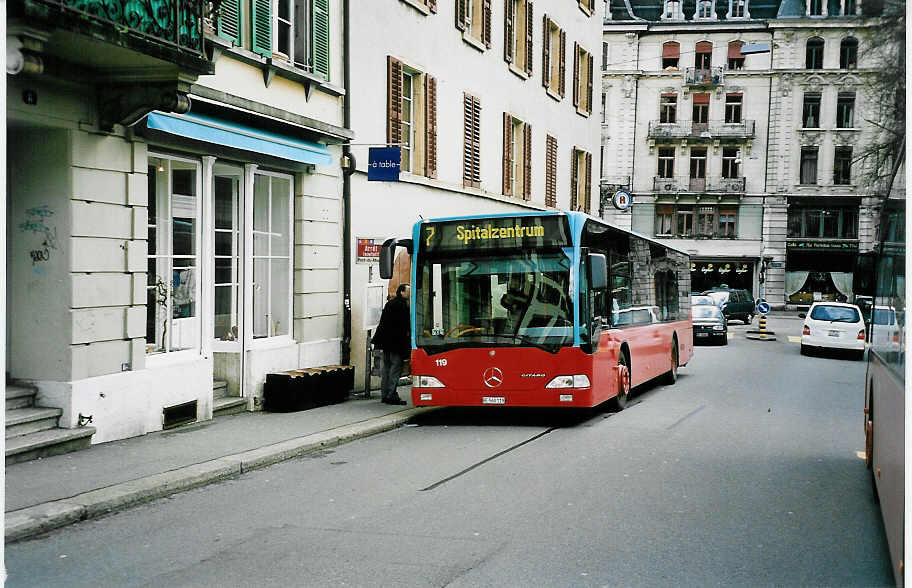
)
(165, 356)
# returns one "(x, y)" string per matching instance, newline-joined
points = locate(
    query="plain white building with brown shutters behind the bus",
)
(494, 104)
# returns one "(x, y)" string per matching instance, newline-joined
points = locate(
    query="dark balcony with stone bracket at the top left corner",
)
(140, 55)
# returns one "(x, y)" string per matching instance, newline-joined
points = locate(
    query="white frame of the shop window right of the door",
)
(284, 338)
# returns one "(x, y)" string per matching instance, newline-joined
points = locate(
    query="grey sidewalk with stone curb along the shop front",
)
(52, 492)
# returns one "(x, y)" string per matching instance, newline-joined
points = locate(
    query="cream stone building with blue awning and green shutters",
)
(175, 218)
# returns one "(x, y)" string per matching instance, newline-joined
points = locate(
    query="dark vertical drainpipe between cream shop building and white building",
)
(348, 168)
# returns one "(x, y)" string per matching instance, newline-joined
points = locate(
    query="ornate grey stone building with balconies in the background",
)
(739, 128)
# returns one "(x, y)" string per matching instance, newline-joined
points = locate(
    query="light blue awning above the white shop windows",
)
(220, 132)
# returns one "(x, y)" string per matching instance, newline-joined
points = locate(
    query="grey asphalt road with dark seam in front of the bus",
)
(744, 473)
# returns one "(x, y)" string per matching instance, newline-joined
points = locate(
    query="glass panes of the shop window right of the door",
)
(272, 248)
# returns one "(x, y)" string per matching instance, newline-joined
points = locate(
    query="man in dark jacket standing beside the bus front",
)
(394, 337)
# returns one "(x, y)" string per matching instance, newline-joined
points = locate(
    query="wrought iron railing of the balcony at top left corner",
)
(174, 23)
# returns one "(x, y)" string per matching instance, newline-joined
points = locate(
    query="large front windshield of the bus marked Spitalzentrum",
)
(516, 299)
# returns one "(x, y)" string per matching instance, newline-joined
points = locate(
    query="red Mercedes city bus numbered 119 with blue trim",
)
(542, 309)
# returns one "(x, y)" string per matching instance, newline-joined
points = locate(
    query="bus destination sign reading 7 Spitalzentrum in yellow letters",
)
(497, 233)
